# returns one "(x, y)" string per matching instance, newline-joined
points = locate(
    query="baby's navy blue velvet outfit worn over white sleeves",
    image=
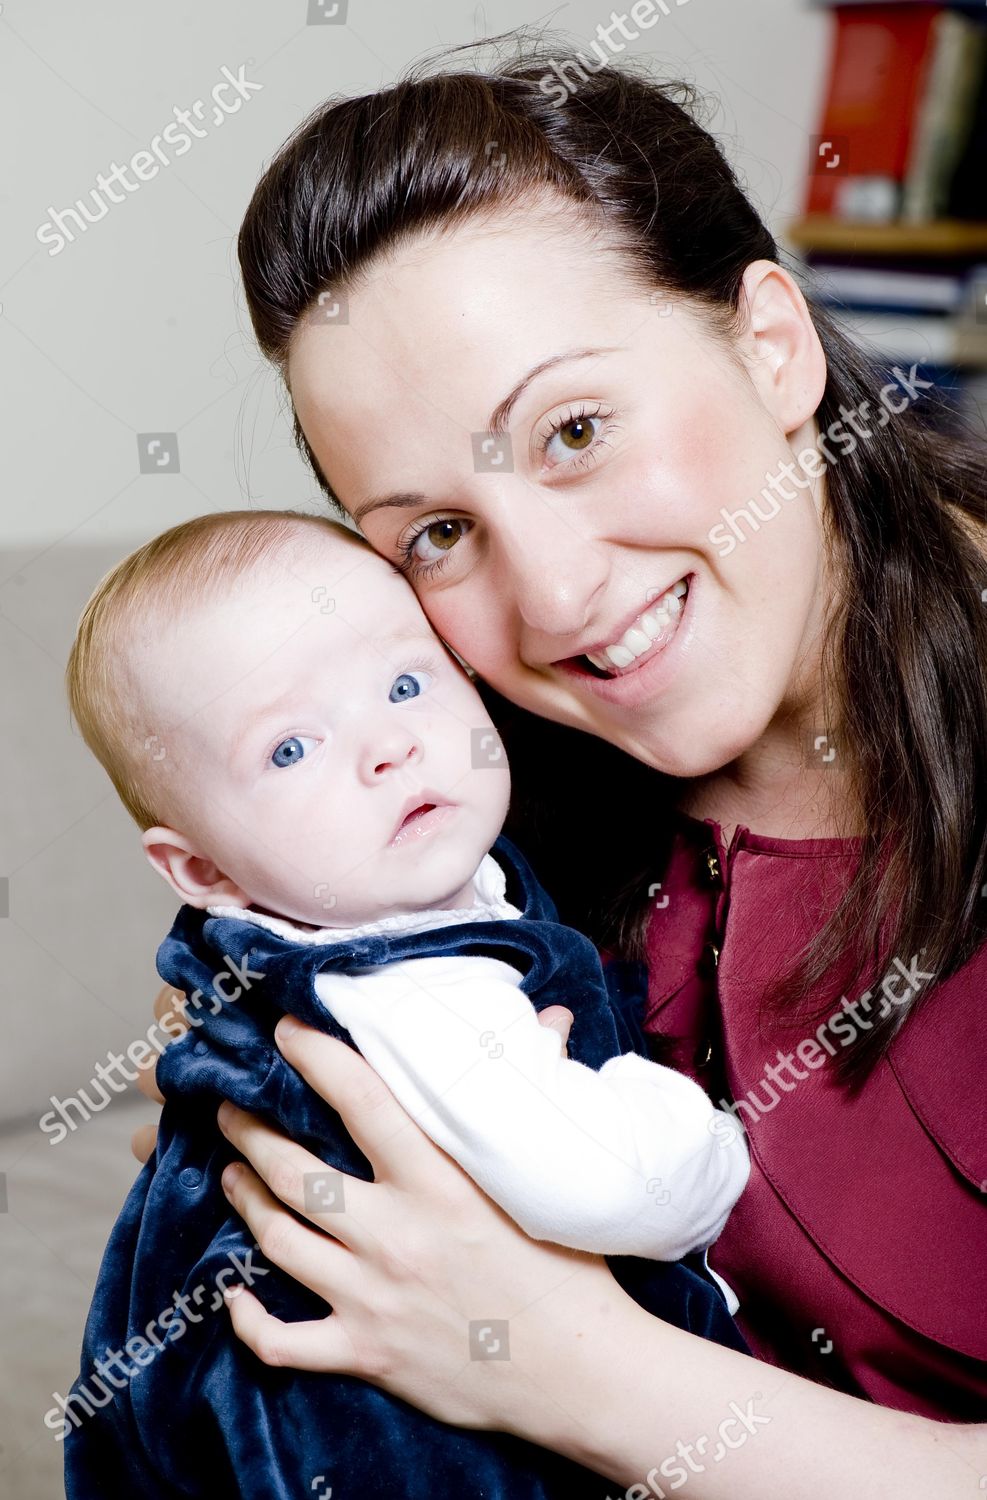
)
(193, 1412)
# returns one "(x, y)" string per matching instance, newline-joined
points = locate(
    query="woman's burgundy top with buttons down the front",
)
(859, 1249)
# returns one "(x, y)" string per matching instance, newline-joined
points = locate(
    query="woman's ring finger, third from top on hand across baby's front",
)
(314, 1259)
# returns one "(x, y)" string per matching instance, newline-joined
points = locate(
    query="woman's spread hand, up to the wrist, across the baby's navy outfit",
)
(437, 1295)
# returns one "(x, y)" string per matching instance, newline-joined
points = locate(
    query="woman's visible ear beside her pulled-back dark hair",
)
(781, 346)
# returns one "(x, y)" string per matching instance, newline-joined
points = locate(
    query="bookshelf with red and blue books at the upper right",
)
(895, 227)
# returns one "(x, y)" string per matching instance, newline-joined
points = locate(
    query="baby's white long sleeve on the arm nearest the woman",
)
(619, 1162)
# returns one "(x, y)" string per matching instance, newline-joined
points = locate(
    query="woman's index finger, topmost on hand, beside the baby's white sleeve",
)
(392, 1142)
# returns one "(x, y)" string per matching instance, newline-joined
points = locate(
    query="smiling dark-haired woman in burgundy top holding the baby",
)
(541, 349)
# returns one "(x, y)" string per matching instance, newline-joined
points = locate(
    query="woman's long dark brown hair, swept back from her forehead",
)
(908, 638)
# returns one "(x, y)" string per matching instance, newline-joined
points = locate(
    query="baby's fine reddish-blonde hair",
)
(164, 577)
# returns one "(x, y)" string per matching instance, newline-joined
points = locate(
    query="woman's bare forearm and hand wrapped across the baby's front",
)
(442, 1300)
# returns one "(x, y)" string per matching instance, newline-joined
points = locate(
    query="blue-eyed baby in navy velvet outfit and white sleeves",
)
(319, 781)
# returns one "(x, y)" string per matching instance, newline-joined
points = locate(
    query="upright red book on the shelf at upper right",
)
(878, 71)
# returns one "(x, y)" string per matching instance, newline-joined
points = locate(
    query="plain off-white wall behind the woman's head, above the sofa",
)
(139, 325)
